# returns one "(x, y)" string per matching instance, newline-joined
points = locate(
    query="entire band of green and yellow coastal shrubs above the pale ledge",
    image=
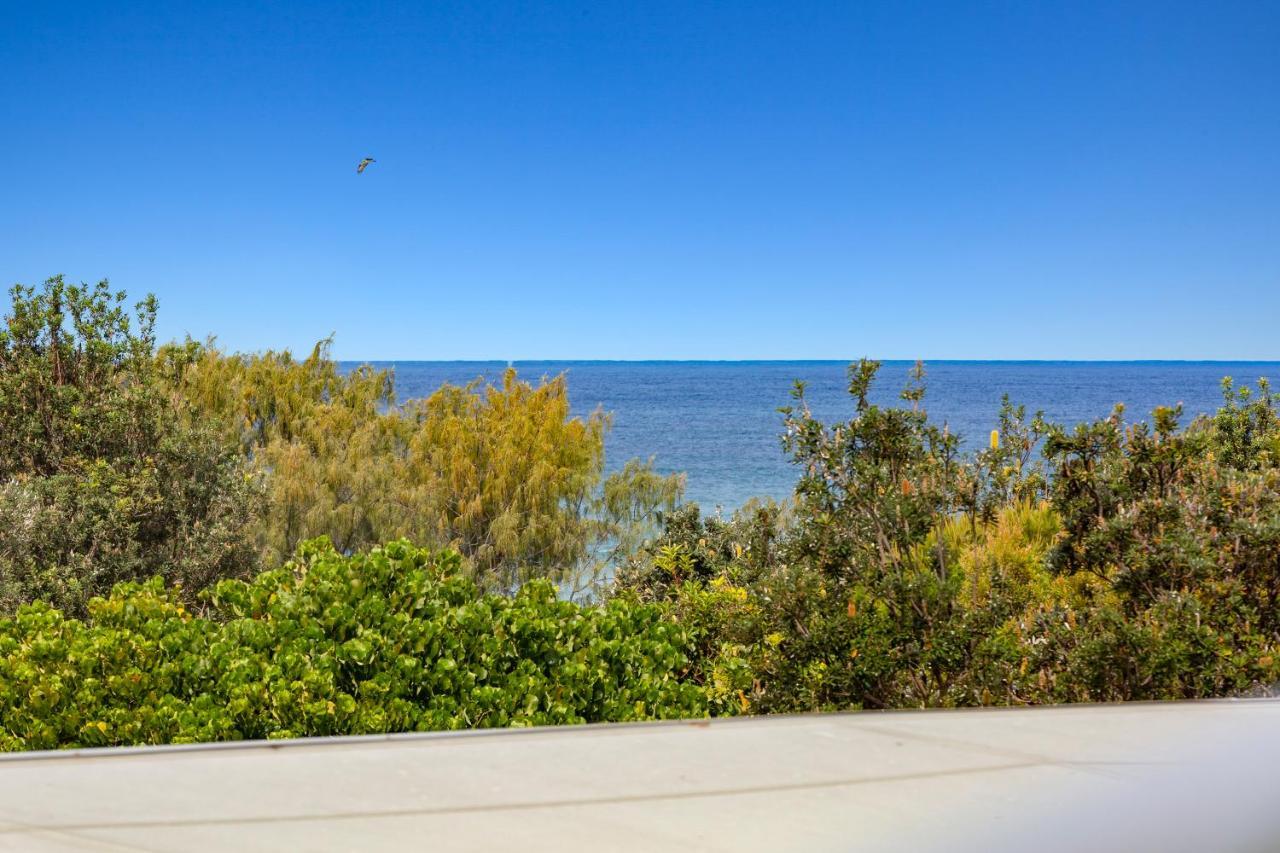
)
(204, 546)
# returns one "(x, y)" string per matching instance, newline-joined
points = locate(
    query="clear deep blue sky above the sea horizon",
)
(659, 180)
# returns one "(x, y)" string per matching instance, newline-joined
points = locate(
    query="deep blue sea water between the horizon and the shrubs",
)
(719, 421)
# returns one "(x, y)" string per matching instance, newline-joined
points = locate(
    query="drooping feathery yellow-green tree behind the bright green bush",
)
(505, 475)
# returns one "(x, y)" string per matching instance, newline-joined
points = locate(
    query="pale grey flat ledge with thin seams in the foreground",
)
(1178, 777)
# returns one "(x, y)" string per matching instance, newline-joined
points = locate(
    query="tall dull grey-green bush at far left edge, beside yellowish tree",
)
(102, 480)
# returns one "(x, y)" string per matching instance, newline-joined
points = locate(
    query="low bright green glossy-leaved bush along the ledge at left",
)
(394, 641)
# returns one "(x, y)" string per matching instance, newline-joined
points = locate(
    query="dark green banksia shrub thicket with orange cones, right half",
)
(1131, 562)
